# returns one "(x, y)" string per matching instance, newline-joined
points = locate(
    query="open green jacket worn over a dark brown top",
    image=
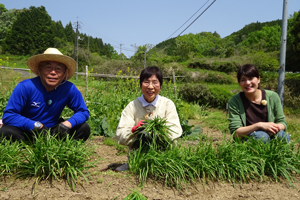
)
(237, 116)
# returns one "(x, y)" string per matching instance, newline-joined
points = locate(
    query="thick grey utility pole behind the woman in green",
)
(280, 88)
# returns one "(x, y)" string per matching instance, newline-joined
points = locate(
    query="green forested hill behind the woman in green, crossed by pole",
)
(254, 40)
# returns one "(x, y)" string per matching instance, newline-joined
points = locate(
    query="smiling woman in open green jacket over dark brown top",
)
(255, 112)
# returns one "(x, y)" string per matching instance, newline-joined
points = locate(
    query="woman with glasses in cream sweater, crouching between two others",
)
(147, 106)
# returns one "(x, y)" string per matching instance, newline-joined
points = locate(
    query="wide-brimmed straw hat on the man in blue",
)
(52, 54)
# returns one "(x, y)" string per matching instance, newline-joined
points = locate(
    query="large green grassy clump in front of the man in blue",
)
(49, 158)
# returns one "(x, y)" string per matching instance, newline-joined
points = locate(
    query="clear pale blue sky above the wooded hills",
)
(139, 22)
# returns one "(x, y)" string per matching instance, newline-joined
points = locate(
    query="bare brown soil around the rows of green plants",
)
(117, 185)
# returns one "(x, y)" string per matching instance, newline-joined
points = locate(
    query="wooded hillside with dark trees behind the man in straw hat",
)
(31, 31)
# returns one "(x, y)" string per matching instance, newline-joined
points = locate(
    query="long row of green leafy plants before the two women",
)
(236, 162)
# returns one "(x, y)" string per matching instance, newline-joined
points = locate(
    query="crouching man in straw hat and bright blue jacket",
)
(36, 104)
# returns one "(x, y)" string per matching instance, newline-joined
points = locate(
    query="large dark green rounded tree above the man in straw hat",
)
(31, 33)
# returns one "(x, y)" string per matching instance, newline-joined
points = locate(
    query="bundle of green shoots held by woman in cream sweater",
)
(153, 133)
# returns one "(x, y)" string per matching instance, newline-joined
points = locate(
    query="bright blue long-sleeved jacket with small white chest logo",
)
(28, 104)
